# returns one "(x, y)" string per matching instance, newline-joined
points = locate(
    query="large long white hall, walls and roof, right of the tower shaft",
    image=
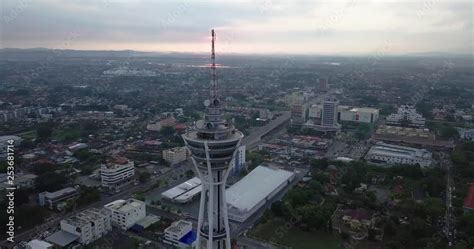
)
(249, 194)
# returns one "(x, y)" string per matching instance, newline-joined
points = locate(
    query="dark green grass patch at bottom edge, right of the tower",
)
(275, 230)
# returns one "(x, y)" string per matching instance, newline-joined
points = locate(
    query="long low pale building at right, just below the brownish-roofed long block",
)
(394, 154)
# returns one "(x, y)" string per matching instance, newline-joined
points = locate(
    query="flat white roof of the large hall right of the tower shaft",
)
(256, 186)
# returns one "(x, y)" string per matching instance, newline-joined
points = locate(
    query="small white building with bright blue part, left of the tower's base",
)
(180, 234)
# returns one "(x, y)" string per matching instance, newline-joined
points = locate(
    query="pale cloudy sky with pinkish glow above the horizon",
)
(259, 26)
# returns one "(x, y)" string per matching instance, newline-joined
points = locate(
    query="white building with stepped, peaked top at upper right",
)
(406, 116)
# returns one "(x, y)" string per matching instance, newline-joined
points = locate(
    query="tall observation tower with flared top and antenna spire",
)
(213, 143)
